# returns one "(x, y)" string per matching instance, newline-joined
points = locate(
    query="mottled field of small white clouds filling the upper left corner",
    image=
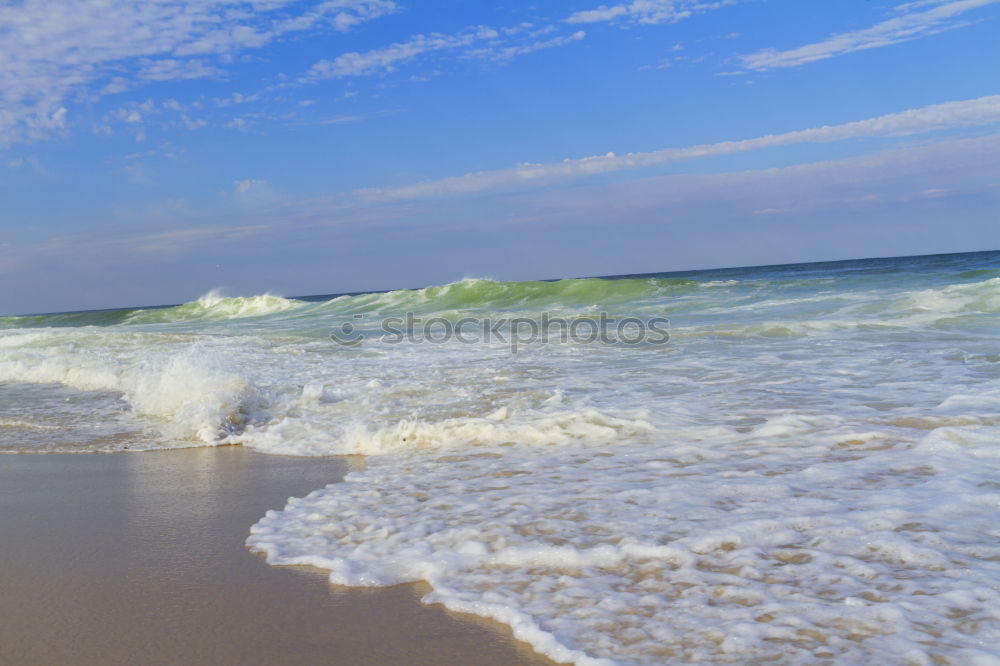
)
(53, 51)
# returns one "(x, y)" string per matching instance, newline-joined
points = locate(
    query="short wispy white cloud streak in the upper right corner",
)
(910, 25)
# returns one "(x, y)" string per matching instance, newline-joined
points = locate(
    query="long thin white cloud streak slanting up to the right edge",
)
(975, 112)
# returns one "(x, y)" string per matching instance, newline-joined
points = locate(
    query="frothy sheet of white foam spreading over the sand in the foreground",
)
(647, 554)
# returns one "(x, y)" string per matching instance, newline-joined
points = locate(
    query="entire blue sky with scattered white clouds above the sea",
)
(152, 151)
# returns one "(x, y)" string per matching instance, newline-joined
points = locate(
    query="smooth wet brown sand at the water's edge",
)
(139, 558)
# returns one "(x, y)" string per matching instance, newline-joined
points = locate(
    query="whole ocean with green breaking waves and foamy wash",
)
(793, 464)
